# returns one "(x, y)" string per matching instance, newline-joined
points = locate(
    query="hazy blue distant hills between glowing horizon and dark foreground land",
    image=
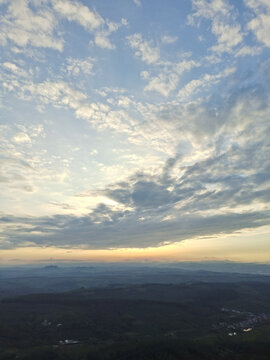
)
(52, 278)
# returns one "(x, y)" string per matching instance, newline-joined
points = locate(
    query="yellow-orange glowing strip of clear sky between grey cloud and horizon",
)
(235, 247)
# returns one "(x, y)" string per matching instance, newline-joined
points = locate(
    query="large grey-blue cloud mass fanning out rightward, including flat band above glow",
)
(225, 190)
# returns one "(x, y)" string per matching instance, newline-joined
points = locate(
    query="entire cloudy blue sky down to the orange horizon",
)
(134, 130)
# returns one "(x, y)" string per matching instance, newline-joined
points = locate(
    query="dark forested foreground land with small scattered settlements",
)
(197, 320)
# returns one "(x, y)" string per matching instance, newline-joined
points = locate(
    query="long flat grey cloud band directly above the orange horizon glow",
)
(131, 232)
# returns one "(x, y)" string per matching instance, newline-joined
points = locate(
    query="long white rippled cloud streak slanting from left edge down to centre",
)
(114, 115)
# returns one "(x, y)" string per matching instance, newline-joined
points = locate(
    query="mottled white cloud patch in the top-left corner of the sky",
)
(31, 23)
